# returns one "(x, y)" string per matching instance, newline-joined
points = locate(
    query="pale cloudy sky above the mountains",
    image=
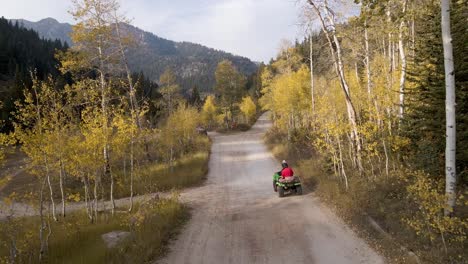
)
(250, 28)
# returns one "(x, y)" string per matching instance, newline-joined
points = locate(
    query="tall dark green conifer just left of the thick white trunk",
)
(427, 99)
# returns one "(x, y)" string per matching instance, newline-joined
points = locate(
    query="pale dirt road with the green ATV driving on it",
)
(237, 218)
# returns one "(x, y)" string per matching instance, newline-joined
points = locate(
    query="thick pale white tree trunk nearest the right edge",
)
(450, 146)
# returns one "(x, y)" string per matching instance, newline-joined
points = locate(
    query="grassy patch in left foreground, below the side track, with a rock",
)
(75, 240)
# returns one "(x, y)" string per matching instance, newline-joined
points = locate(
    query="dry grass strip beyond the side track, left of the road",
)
(187, 171)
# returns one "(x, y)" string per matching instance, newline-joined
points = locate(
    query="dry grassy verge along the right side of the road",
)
(383, 200)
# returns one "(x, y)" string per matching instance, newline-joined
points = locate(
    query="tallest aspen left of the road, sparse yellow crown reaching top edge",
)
(92, 36)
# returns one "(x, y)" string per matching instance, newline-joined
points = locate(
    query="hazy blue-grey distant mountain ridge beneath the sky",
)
(194, 64)
